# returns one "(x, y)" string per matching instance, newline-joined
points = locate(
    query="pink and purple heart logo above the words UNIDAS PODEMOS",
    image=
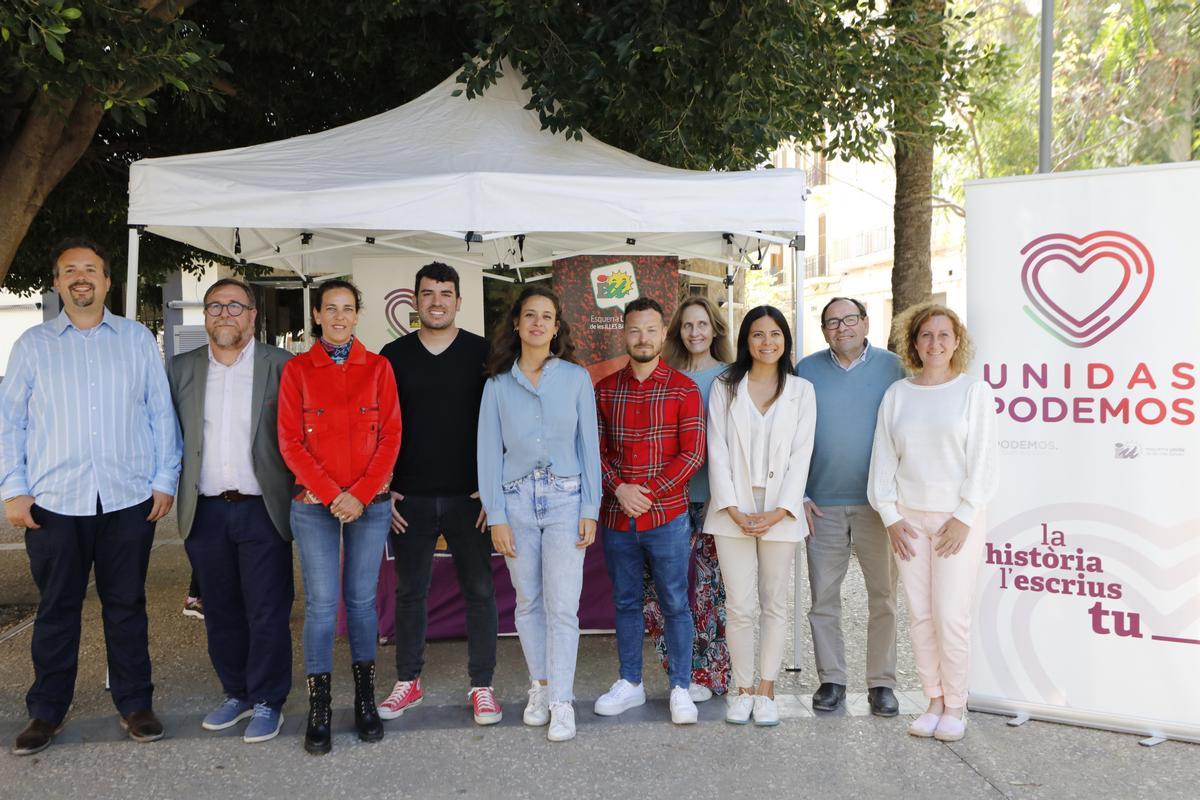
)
(1083, 290)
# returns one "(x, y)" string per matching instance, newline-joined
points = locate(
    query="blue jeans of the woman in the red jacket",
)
(321, 539)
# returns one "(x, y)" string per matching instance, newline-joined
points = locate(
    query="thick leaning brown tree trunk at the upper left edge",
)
(50, 141)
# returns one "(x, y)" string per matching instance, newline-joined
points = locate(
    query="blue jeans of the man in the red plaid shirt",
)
(668, 550)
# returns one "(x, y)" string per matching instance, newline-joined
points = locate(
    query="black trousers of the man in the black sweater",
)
(453, 518)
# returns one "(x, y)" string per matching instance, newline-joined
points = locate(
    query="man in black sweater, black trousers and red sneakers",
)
(440, 377)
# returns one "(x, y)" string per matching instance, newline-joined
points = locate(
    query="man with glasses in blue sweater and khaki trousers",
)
(850, 380)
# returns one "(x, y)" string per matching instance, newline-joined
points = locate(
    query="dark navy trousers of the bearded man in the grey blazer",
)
(244, 569)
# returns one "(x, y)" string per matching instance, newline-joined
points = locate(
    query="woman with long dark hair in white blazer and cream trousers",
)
(761, 420)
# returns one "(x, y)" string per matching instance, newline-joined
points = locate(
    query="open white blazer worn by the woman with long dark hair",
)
(791, 435)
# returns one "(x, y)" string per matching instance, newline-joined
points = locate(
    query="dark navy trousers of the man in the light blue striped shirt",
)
(62, 555)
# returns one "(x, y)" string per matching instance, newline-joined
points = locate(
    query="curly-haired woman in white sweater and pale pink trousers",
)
(933, 471)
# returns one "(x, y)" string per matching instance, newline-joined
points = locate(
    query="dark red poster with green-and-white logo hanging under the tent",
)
(596, 290)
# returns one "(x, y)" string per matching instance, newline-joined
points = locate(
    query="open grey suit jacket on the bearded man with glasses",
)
(188, 375)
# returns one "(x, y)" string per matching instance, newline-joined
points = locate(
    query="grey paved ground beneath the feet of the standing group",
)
(436, 751)
